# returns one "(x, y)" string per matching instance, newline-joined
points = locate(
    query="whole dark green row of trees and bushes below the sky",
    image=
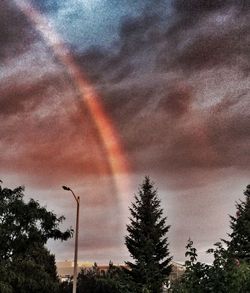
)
(26, 265)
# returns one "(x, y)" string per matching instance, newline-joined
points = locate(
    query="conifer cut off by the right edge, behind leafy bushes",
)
(239, 244)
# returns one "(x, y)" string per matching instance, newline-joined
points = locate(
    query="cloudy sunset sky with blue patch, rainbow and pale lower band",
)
(172, 79)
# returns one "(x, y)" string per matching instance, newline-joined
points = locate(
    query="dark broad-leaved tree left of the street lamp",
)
(26, 265)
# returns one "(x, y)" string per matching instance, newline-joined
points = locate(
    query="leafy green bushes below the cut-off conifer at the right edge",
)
(223, 276)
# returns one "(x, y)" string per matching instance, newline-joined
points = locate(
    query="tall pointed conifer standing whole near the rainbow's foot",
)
(147, 241)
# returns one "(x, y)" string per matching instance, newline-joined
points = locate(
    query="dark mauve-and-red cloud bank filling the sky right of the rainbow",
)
(151, 85)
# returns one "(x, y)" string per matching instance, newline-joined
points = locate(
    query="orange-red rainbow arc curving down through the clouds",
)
(108, 134)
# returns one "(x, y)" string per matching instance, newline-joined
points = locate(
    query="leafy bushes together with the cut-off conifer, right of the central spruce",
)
(230, 270)
